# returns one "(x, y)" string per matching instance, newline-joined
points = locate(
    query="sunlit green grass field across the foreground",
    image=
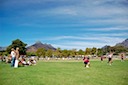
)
(65, 73)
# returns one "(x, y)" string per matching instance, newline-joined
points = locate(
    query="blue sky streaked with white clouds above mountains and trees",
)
(66, 24)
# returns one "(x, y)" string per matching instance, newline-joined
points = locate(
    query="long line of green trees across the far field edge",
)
(41, 52)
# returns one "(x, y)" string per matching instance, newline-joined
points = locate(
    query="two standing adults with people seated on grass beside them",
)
(16, 60)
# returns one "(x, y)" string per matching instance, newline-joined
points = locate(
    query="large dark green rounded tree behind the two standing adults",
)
(17, 43)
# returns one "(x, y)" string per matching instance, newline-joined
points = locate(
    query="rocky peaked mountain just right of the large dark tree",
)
(37, 45)
